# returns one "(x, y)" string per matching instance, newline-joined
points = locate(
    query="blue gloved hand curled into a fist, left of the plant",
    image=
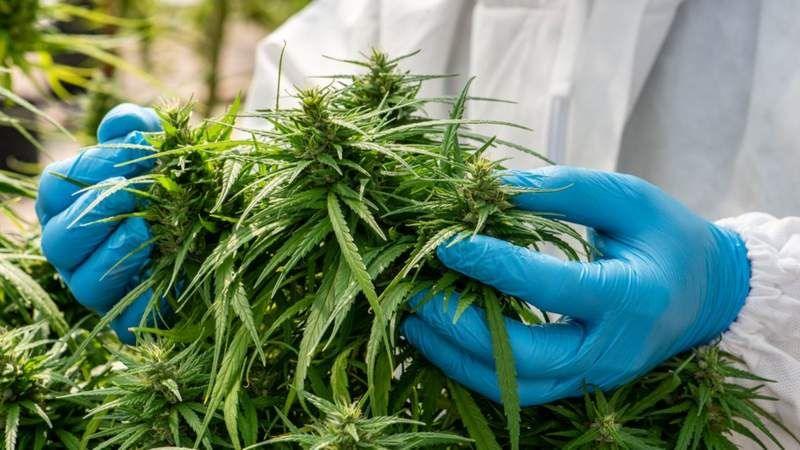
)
(84, 252)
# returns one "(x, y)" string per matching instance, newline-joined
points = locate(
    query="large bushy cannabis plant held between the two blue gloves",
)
(285, 259)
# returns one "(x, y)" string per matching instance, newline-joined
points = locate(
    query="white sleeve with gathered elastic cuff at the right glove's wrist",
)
(766, 334)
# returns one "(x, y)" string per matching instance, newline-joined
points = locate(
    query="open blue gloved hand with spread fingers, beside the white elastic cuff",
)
(667, 281)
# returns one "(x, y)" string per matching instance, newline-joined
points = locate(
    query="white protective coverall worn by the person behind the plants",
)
(700, 97)
